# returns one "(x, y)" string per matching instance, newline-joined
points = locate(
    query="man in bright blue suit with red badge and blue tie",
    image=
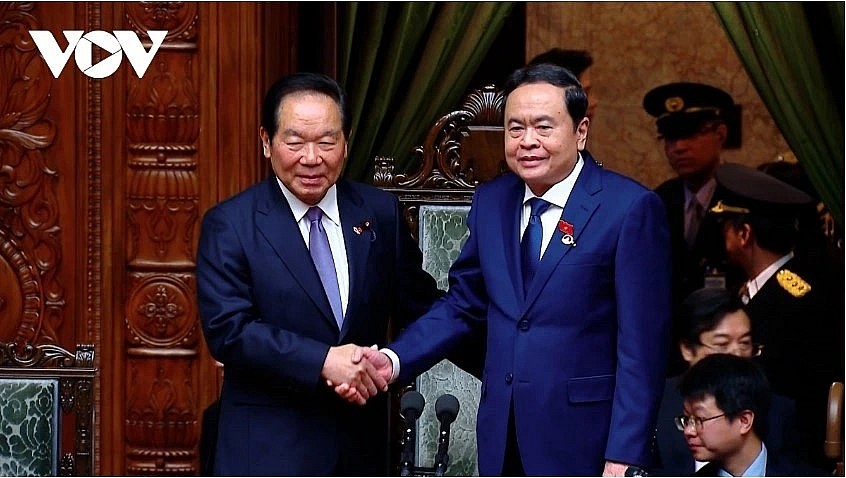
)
(577, 311)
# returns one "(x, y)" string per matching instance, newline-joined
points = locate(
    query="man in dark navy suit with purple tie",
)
(290, 273)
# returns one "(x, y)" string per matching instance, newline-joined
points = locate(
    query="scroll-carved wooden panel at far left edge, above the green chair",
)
(30, 235)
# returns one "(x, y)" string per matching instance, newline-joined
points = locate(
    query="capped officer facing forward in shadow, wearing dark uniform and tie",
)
(694, 122)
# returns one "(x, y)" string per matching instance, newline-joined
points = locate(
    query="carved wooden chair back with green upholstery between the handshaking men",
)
(462, 149)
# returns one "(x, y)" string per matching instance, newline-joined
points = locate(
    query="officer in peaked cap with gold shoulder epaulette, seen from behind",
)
(796, 317)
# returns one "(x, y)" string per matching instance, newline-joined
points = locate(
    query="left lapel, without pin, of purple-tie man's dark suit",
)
(276, 223)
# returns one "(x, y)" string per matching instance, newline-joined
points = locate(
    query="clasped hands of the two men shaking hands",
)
(357, 373)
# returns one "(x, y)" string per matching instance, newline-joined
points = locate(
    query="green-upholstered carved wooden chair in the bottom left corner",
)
(44, 388)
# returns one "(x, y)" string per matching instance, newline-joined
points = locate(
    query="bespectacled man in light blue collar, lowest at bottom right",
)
(725, 398)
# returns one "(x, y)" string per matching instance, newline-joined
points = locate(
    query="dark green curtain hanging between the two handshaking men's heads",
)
(403, 65)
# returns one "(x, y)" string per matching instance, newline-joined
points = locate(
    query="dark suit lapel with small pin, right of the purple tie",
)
(359, 232)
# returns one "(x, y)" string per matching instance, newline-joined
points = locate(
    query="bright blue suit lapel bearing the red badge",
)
(579, 209)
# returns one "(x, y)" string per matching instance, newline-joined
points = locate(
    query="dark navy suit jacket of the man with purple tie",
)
(267, 319)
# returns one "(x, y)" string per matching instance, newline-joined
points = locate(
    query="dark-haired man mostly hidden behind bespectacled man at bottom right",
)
(712, 321)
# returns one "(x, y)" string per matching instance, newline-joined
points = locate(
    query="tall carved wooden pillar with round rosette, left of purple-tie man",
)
(162, 128)
